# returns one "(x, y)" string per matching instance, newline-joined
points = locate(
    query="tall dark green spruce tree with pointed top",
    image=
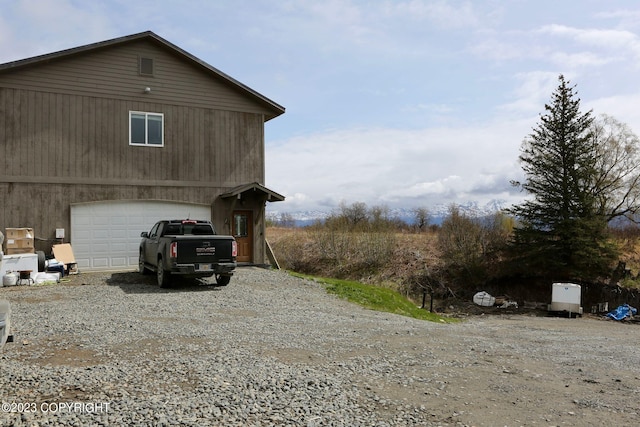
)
(561, 233)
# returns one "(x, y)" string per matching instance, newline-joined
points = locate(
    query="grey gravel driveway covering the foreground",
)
(271, 350)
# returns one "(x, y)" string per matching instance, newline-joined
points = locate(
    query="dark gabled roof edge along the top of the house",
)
(271, 106)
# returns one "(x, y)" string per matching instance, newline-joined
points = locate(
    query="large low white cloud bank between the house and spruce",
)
(396, 167)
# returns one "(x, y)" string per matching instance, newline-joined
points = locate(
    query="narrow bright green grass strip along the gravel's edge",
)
(375, 298)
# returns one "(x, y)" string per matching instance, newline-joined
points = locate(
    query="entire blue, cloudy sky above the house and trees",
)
(413, 103)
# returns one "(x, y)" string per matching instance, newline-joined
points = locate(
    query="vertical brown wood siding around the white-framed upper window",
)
(80, 139)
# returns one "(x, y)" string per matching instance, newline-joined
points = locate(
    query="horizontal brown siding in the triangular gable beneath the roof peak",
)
(113, 73)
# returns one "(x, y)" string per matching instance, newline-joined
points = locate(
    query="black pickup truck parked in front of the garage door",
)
(190, 248)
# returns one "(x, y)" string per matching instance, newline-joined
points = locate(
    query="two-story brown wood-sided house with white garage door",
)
(100, 141)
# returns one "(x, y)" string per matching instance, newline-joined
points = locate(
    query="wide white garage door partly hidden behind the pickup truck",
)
(106, 235)
